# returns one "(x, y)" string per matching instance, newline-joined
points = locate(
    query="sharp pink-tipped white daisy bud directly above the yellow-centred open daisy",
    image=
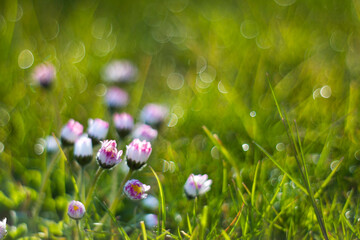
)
(137, 153)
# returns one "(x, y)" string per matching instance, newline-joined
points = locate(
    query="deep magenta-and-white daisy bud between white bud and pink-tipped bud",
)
(108, 156)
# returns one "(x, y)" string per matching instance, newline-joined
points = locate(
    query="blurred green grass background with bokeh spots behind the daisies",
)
(207, 61)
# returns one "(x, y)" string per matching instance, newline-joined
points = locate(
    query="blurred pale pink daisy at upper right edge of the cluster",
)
(154, 114)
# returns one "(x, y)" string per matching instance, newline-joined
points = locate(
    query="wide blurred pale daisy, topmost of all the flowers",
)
(120, 71)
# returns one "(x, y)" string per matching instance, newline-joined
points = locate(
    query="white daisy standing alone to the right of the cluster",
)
(197, 185)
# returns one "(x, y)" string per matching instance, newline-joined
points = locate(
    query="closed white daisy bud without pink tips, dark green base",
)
(83, 150)
